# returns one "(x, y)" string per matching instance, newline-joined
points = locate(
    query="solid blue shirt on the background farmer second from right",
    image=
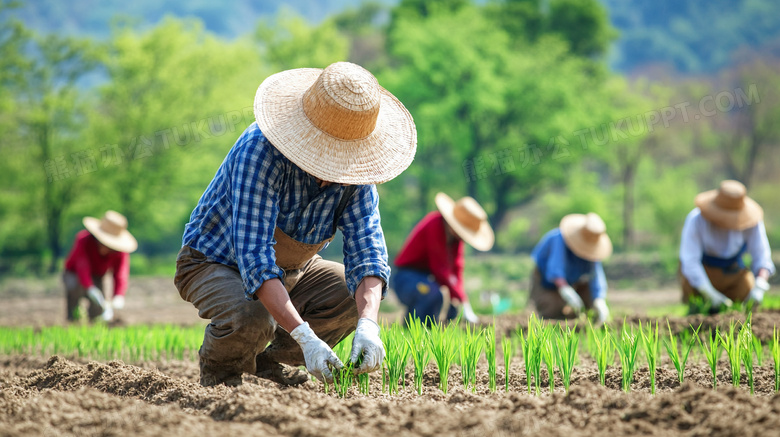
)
(555, 260)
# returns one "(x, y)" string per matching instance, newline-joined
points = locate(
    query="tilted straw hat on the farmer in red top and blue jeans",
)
(468, 220)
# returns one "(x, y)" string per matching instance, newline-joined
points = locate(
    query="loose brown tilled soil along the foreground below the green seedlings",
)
(62, 397)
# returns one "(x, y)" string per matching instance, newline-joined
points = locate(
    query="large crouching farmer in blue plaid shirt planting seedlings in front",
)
(308, 165)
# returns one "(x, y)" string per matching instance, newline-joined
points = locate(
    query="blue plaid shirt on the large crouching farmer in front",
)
(257, 189)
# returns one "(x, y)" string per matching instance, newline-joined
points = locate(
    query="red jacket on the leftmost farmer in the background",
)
(85, 261)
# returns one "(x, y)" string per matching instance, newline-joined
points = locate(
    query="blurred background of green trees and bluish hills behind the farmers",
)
(537, 108)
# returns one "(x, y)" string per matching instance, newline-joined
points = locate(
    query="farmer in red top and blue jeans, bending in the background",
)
(429, 272)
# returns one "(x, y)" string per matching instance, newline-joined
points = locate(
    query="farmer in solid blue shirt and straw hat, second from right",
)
(569, 277)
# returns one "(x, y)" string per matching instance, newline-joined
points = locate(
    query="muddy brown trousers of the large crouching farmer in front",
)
(240, 329)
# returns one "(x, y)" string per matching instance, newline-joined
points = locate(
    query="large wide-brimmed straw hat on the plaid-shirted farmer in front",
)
(336, 124)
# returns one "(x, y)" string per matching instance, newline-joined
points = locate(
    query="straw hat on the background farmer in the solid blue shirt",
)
(586, 236)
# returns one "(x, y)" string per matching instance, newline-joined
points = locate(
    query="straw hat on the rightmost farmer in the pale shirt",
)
(729, 207)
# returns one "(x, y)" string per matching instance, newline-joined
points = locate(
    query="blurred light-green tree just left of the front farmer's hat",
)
(176, 100)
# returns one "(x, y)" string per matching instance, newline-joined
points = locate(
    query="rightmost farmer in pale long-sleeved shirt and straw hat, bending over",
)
(724, 226)
